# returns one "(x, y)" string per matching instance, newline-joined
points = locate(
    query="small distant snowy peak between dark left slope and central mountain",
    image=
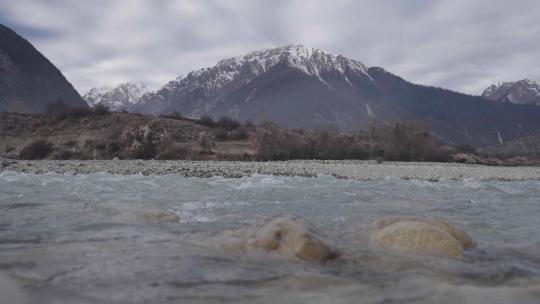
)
(125, 96)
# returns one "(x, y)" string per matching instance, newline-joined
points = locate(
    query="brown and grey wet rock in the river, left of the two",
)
(287, 236)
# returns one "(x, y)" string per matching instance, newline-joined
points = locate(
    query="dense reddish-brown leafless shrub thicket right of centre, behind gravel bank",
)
(396, 141)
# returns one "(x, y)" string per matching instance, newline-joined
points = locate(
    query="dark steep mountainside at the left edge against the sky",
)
(28, 81)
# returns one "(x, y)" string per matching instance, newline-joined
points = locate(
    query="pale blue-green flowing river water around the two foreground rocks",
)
(104, 238)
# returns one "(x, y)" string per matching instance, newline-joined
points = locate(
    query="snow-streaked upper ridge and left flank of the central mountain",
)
(203, 91)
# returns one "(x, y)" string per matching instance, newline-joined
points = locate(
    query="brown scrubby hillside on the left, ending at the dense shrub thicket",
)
(88, 135)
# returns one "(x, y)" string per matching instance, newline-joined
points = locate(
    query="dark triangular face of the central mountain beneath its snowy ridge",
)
(293, 99)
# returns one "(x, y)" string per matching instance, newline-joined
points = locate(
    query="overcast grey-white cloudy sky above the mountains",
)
(463, 45)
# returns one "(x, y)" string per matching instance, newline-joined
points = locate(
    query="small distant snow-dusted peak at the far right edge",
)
(519, 92)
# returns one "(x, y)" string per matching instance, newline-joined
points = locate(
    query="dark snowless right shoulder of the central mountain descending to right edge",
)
(456, 117)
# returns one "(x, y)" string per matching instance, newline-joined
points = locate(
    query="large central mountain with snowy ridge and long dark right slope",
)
(301, 87)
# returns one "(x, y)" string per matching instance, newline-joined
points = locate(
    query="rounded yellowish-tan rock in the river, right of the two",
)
(421, 236)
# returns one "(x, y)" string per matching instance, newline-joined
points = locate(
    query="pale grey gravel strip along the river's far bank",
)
(359, 170)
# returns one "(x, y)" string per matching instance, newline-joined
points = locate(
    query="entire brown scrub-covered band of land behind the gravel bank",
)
(82, 134)
